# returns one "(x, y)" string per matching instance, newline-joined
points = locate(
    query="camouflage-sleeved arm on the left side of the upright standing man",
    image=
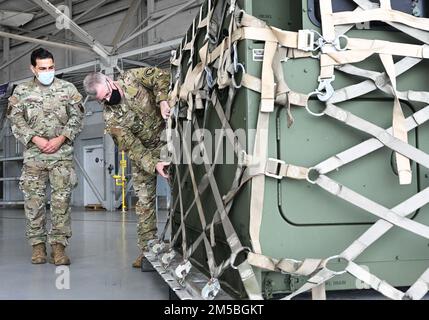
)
(15, 113)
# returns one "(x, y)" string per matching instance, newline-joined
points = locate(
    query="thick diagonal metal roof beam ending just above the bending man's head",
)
(96, 46)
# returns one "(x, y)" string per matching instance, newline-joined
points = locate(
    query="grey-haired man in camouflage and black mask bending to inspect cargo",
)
(135, 123)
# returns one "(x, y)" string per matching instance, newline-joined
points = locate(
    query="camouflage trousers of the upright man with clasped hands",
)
(34, 179)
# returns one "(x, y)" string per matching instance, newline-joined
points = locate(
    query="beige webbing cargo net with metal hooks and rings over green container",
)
(336, 52)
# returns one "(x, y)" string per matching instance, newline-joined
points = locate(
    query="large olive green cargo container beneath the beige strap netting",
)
(301, 220)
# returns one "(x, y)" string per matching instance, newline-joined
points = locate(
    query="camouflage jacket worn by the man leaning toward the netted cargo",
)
(136, 123)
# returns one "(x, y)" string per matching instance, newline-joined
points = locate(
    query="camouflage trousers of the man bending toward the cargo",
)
(145, 188)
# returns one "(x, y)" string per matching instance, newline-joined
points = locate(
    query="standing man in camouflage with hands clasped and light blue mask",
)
(46, 120)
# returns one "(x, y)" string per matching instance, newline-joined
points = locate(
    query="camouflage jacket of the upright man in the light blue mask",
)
(46, 112)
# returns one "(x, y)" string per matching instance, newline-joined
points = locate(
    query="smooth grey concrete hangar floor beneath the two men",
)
(102, 248)
